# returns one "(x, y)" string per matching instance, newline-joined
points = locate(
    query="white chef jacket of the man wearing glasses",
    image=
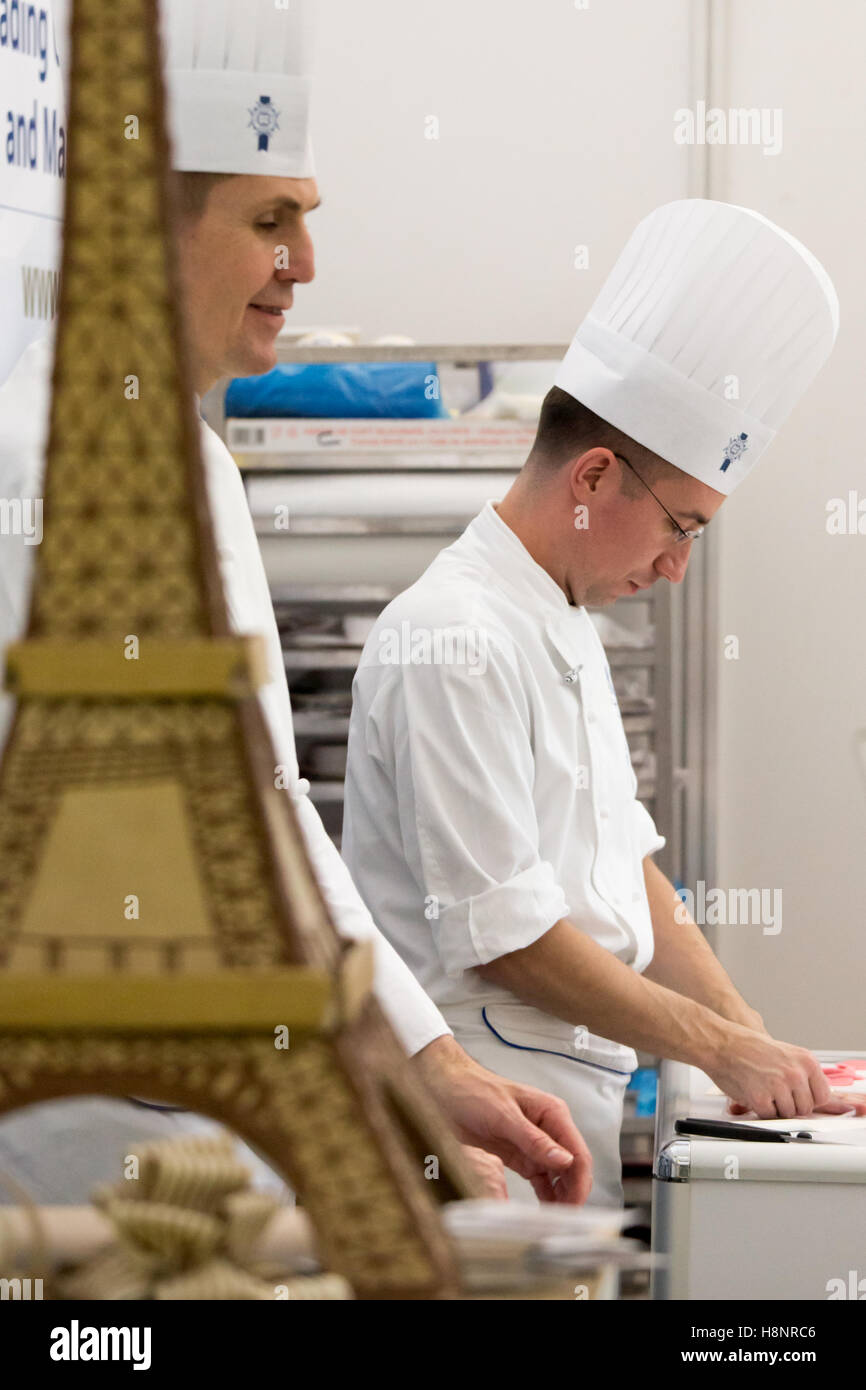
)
(490, 793)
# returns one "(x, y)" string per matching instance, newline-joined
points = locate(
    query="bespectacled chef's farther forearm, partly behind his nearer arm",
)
(683, 958)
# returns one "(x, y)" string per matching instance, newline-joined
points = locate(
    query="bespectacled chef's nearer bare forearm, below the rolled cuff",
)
(572, 976)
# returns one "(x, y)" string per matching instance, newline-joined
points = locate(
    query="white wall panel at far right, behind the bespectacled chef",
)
(793, 799)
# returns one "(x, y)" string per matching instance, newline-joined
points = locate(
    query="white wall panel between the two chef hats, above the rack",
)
(554, 133)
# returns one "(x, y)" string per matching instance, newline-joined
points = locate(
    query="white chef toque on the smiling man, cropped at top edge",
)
(238, 87)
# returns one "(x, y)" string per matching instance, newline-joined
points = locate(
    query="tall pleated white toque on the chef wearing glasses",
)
(707, 333)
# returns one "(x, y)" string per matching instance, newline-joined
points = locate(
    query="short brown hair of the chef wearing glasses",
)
(568, 429)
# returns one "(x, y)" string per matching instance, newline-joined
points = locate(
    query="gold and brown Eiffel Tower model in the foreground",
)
(162, 932)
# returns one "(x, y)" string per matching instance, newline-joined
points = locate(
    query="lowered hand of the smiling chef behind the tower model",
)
(532, 1132)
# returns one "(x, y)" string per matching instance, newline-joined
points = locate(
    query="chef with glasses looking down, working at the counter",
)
(491, 815)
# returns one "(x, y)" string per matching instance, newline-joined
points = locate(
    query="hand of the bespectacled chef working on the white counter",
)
(775, 1079)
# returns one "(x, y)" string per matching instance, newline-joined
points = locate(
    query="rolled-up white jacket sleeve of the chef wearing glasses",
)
(458, 743)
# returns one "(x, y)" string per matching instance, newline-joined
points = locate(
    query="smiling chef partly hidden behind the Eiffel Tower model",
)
(240, 109)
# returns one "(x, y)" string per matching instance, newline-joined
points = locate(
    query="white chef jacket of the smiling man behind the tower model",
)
(24, 416)
